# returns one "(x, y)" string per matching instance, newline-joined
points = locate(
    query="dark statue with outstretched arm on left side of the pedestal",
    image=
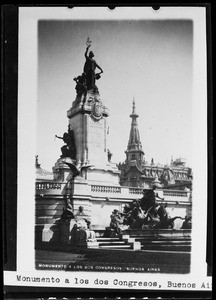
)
(68, 150)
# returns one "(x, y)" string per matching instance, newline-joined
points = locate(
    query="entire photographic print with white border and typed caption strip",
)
(111, 150)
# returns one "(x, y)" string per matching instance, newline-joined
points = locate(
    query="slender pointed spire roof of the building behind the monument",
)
(134, 143)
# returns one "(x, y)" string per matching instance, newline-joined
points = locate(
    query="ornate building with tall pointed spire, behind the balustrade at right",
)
(136, 172)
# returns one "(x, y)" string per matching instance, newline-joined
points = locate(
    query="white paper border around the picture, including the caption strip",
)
(27, 108)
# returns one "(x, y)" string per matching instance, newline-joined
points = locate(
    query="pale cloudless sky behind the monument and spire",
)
(150, 61)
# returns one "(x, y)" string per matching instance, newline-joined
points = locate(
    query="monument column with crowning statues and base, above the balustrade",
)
(88, 123)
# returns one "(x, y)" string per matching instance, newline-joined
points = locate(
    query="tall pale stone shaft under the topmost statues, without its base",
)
(88, 121)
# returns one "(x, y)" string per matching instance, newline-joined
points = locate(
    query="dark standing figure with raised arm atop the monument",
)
(89, 69)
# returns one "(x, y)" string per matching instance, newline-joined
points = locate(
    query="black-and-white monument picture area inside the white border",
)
(113, 159)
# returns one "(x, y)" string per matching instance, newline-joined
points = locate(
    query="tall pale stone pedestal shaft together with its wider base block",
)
(88, 120)
